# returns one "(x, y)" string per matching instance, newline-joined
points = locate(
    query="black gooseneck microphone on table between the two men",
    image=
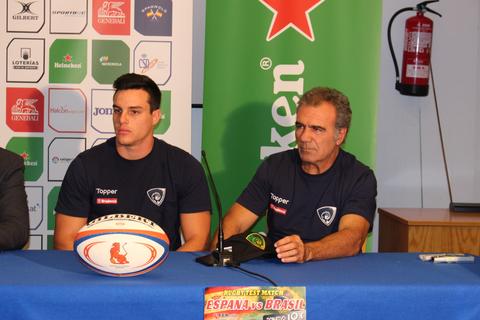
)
(219, 257)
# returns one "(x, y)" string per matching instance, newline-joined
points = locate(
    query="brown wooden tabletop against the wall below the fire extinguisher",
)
(431, 216)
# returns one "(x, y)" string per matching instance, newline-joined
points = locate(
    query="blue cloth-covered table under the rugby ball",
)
(55, 285)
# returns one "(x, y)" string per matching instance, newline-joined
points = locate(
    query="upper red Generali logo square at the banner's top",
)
(111, 17)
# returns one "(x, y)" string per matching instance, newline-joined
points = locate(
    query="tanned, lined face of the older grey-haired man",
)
(317, 138)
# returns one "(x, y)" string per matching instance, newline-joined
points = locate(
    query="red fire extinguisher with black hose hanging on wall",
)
(417, 49)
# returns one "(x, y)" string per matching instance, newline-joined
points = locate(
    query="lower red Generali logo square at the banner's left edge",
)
(25, 109)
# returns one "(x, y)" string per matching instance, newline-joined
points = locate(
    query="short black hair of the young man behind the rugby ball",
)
(138, 81)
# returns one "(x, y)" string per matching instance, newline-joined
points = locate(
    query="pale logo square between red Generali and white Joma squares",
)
(67, 110)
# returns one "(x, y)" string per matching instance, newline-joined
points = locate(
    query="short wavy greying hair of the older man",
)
(317, 96)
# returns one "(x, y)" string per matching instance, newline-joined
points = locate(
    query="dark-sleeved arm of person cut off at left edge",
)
(14, 217)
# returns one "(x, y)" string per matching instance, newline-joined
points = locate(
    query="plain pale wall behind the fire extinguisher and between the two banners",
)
(409, 166)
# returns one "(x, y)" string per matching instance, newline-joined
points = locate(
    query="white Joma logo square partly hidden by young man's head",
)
(102, 111)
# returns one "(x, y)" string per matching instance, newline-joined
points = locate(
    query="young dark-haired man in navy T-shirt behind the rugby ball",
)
(134, 172)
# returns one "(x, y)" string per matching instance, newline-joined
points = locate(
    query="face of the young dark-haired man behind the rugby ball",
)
(132, 119)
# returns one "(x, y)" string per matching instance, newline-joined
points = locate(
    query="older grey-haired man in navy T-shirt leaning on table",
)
(319, 200)
